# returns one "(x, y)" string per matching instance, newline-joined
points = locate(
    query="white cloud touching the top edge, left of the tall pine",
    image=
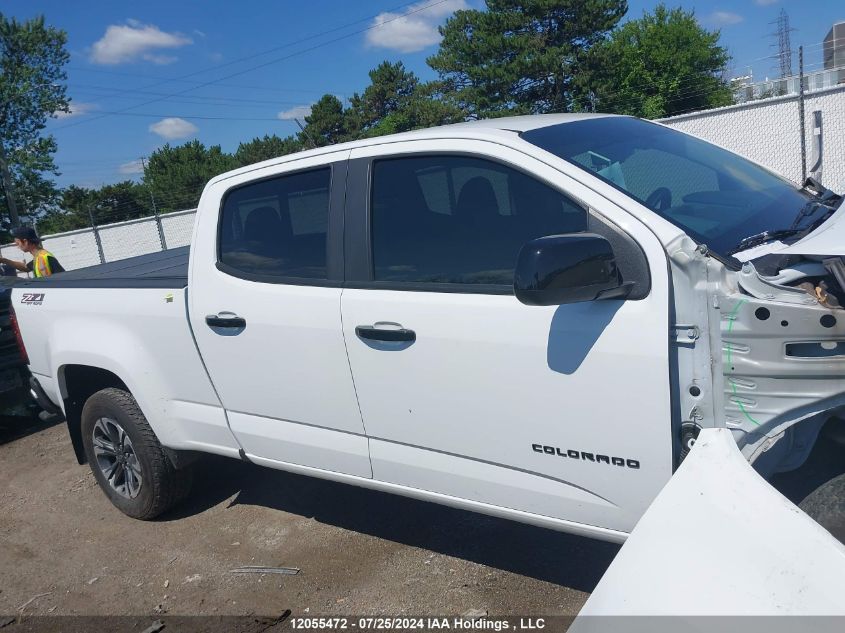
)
(413, 30)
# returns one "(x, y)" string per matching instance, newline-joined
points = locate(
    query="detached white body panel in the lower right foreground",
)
(719, 540)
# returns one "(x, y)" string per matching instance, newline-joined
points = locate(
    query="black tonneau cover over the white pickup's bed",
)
(165, 269)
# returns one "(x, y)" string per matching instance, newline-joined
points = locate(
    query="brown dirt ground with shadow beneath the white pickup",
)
(65, 550)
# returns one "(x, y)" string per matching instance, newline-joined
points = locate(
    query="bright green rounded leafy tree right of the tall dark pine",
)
(661, 64)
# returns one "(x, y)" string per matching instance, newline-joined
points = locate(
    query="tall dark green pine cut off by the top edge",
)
(521, 56)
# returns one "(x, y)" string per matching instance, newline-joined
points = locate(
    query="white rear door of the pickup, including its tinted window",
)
(265, 286)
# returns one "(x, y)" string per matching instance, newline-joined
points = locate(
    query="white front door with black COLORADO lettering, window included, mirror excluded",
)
(563, 411)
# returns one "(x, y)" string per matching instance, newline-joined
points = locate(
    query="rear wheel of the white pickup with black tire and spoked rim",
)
(143, 482)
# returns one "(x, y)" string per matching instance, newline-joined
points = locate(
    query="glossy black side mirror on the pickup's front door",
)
(568, 269)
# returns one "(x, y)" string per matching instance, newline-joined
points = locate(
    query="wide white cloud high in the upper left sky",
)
(123, 43)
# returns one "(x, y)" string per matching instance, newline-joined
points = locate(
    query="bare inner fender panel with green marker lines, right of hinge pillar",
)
(782, 329)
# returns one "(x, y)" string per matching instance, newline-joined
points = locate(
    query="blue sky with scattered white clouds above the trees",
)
(264, 62)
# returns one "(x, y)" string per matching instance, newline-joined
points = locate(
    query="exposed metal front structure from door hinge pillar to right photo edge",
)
(759, 350)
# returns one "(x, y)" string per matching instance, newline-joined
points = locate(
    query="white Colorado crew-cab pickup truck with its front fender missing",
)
(530, 317)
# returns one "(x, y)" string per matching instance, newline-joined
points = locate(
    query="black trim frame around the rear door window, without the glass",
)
(335, 264)
